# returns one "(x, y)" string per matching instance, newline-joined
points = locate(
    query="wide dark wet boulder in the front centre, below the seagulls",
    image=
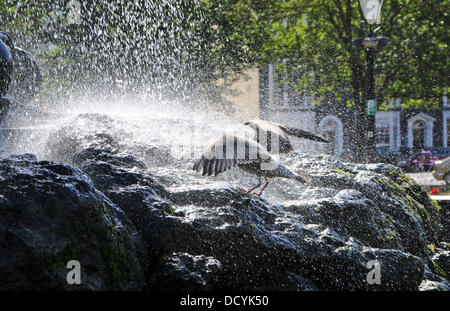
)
(257, 245)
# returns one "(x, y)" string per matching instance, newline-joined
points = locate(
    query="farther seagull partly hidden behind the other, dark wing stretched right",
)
(269, 134)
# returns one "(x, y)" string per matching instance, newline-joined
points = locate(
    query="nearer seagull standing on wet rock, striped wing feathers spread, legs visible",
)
(231, 151)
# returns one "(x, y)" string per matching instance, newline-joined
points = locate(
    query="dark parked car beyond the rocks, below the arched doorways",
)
(423, 160)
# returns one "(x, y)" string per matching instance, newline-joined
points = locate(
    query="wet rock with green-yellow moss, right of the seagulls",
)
(377, 203)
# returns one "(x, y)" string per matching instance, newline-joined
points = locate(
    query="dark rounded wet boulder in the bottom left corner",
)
(50, 214)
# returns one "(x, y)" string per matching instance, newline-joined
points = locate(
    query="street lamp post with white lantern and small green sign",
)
(371, 10)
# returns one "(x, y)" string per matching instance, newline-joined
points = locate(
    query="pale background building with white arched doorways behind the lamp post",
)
(399, 130)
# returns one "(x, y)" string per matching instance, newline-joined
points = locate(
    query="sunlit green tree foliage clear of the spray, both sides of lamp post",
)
(318, 36)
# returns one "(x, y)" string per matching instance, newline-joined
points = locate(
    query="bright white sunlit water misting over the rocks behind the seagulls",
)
(179, 133)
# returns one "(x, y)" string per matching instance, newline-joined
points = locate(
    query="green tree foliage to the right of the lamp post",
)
(416, 64)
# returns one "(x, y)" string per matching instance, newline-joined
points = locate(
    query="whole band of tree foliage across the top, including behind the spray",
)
(164, 42)
